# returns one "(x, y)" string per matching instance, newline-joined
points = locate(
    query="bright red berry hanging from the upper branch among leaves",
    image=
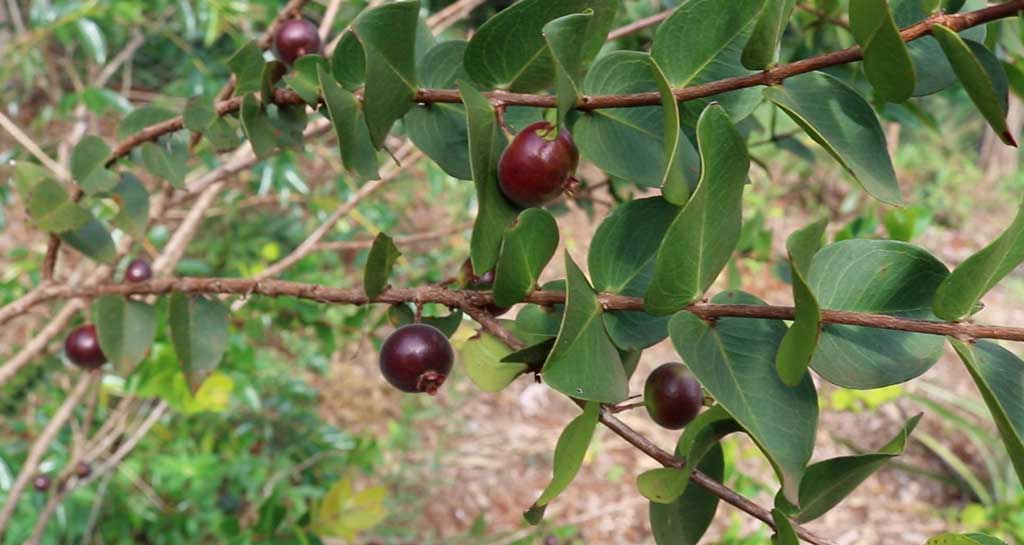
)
(536, 167)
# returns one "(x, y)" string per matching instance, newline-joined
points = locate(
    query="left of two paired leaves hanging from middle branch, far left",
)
(126, 330)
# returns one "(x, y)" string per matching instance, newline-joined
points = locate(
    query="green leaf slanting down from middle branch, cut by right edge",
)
(998, 374)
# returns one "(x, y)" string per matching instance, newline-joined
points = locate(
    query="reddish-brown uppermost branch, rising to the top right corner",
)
(773, 76)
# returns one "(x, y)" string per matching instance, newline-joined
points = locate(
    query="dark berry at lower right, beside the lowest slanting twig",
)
(672, 396)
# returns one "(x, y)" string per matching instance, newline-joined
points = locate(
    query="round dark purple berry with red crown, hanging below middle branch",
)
(417, 358)
